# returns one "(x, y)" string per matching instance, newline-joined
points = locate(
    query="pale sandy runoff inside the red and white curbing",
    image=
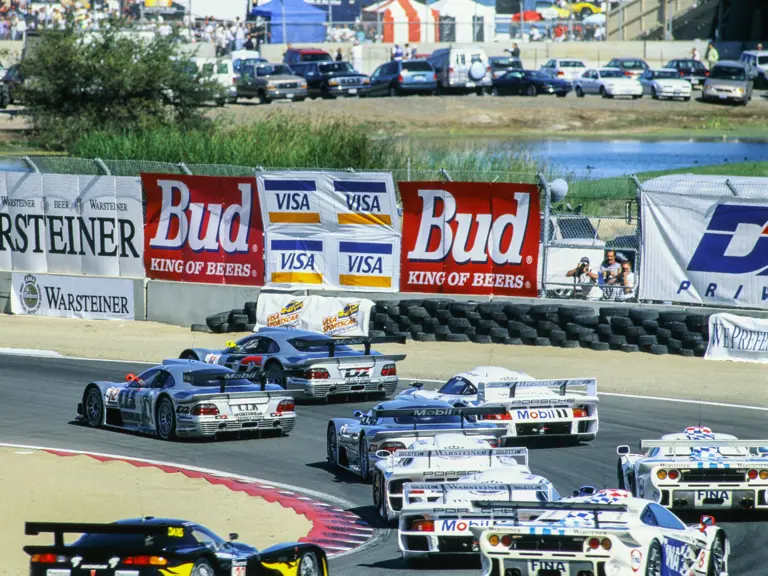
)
(40, 486)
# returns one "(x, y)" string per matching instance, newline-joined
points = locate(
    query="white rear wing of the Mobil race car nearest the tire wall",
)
(505, 391)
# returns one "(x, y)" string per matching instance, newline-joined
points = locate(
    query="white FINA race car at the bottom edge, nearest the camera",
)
(609, 533)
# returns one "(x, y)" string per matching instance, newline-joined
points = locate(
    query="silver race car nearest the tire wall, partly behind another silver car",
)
(316, 365)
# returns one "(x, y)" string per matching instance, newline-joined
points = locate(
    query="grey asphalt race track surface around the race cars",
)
(39, 396)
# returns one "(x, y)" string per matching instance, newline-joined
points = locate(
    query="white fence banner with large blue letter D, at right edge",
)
(704, 249)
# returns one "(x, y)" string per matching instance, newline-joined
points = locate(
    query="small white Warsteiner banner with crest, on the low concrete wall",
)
(72, 296)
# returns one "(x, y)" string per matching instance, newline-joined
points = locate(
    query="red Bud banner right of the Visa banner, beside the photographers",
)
(470, 238)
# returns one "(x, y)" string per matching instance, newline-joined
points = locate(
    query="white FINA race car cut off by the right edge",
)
(698, 470)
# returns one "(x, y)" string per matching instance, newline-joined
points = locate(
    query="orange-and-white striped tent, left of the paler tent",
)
(402, 21)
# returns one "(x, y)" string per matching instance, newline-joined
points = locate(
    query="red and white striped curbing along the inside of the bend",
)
(337, 531)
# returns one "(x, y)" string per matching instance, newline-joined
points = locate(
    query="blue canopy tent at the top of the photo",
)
(293, 21)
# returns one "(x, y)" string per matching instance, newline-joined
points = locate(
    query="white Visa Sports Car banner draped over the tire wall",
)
(327, 315)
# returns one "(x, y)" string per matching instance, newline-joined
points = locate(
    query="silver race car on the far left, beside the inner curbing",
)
(186, 398)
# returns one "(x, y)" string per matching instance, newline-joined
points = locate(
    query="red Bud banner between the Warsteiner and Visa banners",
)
(203, 229)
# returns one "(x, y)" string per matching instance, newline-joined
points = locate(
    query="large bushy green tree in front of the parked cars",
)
(111, 80)
